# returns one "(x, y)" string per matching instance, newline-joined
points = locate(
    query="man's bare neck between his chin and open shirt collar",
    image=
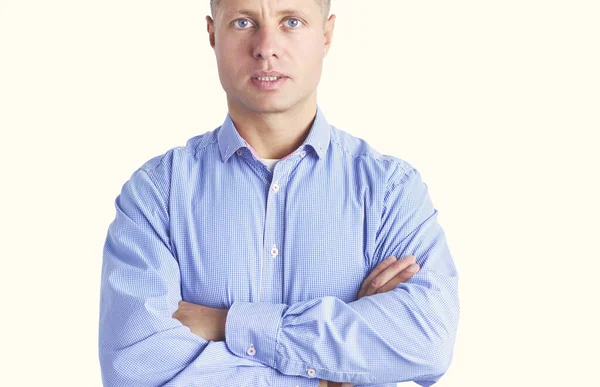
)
(274, 135)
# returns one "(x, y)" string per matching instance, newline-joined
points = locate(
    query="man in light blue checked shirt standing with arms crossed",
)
(256, 254)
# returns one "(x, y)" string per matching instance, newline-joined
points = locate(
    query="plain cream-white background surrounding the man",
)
(496, 103)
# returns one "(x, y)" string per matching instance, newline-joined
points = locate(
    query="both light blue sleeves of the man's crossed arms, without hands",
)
(406, 333)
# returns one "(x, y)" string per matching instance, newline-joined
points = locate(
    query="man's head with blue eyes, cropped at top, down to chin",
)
(284, 38)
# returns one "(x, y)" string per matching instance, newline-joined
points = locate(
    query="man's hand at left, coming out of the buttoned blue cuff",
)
(208, 323)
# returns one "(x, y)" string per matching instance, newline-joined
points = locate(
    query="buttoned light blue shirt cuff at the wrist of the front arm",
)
(251, 330)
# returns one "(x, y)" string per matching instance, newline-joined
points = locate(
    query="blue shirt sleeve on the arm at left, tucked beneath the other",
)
(140, 343)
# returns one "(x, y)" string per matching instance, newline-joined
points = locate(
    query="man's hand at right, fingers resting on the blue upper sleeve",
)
(385, 277)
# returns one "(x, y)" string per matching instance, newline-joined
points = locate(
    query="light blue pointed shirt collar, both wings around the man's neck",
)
(318, 138)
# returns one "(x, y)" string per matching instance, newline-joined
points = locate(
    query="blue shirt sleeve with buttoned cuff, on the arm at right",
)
(406, 334)
